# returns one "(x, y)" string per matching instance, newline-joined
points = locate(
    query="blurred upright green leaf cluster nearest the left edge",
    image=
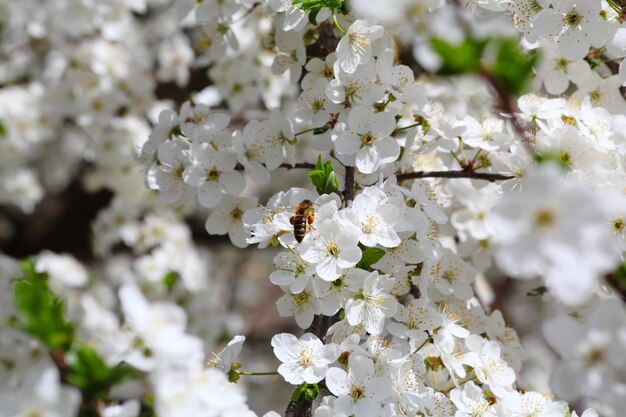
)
(41, 312)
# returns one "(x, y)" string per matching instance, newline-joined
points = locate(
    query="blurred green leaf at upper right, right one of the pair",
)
(512, 67)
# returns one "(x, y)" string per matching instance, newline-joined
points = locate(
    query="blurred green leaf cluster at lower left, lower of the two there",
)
(92, 375)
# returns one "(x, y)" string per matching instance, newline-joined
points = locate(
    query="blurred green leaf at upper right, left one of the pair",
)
(459, 58)
